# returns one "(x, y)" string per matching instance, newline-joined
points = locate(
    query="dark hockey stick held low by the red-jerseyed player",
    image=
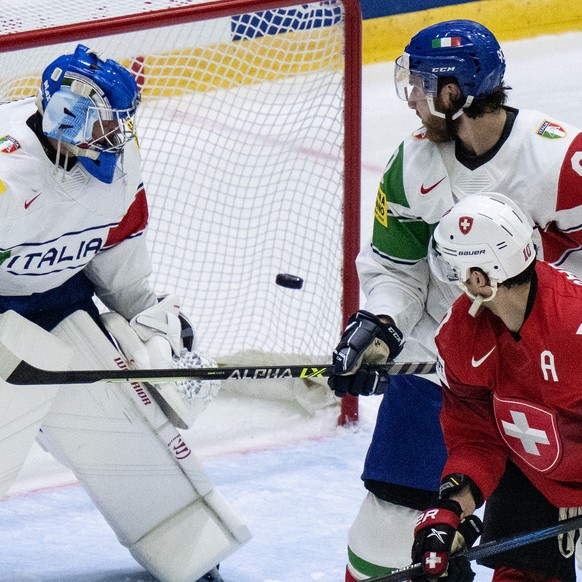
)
(491, 548)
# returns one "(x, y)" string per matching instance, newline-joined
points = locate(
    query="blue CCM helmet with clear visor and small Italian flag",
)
(462, 49)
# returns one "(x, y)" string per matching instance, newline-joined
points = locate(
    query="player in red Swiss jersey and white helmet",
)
(510, 369)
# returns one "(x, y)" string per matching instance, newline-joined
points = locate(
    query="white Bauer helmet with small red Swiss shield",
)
(487, 231)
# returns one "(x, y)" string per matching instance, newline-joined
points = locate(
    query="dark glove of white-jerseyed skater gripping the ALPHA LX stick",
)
(366, 340)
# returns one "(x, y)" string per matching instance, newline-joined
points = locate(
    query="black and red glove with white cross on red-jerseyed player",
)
(439, 533)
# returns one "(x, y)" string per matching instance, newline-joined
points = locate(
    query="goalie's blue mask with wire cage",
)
(88, 105)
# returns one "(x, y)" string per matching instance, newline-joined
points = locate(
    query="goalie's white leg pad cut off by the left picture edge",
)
(23, 408)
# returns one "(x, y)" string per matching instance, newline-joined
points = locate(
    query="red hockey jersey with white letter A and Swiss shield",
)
(517, 397)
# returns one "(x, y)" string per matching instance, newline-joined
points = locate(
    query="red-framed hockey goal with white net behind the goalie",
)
(250, 138)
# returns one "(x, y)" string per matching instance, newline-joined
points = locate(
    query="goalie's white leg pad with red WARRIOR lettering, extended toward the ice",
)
(139, 471)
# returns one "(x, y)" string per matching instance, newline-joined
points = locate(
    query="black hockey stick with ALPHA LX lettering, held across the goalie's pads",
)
(24, 373)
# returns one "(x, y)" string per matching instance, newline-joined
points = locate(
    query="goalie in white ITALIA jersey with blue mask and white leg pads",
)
(73, 216)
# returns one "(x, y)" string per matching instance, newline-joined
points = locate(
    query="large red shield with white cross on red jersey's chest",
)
(530, 431)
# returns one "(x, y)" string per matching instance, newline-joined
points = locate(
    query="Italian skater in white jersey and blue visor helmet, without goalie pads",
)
(452, 76)
